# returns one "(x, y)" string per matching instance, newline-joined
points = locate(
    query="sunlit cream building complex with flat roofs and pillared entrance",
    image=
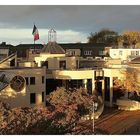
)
(47, 67)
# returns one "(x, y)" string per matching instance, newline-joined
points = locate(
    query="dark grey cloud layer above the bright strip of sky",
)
(78, 18)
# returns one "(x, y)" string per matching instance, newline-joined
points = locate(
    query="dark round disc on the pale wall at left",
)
(17, 83)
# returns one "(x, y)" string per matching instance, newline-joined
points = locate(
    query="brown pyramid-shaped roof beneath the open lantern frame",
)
(53, 48)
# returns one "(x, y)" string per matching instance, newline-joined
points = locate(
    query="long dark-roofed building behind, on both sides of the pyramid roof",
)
(72, 49)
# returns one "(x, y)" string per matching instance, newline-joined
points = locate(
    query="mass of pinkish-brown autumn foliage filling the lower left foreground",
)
(64, 109)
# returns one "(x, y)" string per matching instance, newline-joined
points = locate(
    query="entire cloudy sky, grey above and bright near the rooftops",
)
(72, 23)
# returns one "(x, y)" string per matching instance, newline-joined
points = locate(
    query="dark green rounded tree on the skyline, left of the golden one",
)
(105, 36)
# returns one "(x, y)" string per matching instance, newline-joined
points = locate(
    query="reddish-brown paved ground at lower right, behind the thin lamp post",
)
(113, 122)
